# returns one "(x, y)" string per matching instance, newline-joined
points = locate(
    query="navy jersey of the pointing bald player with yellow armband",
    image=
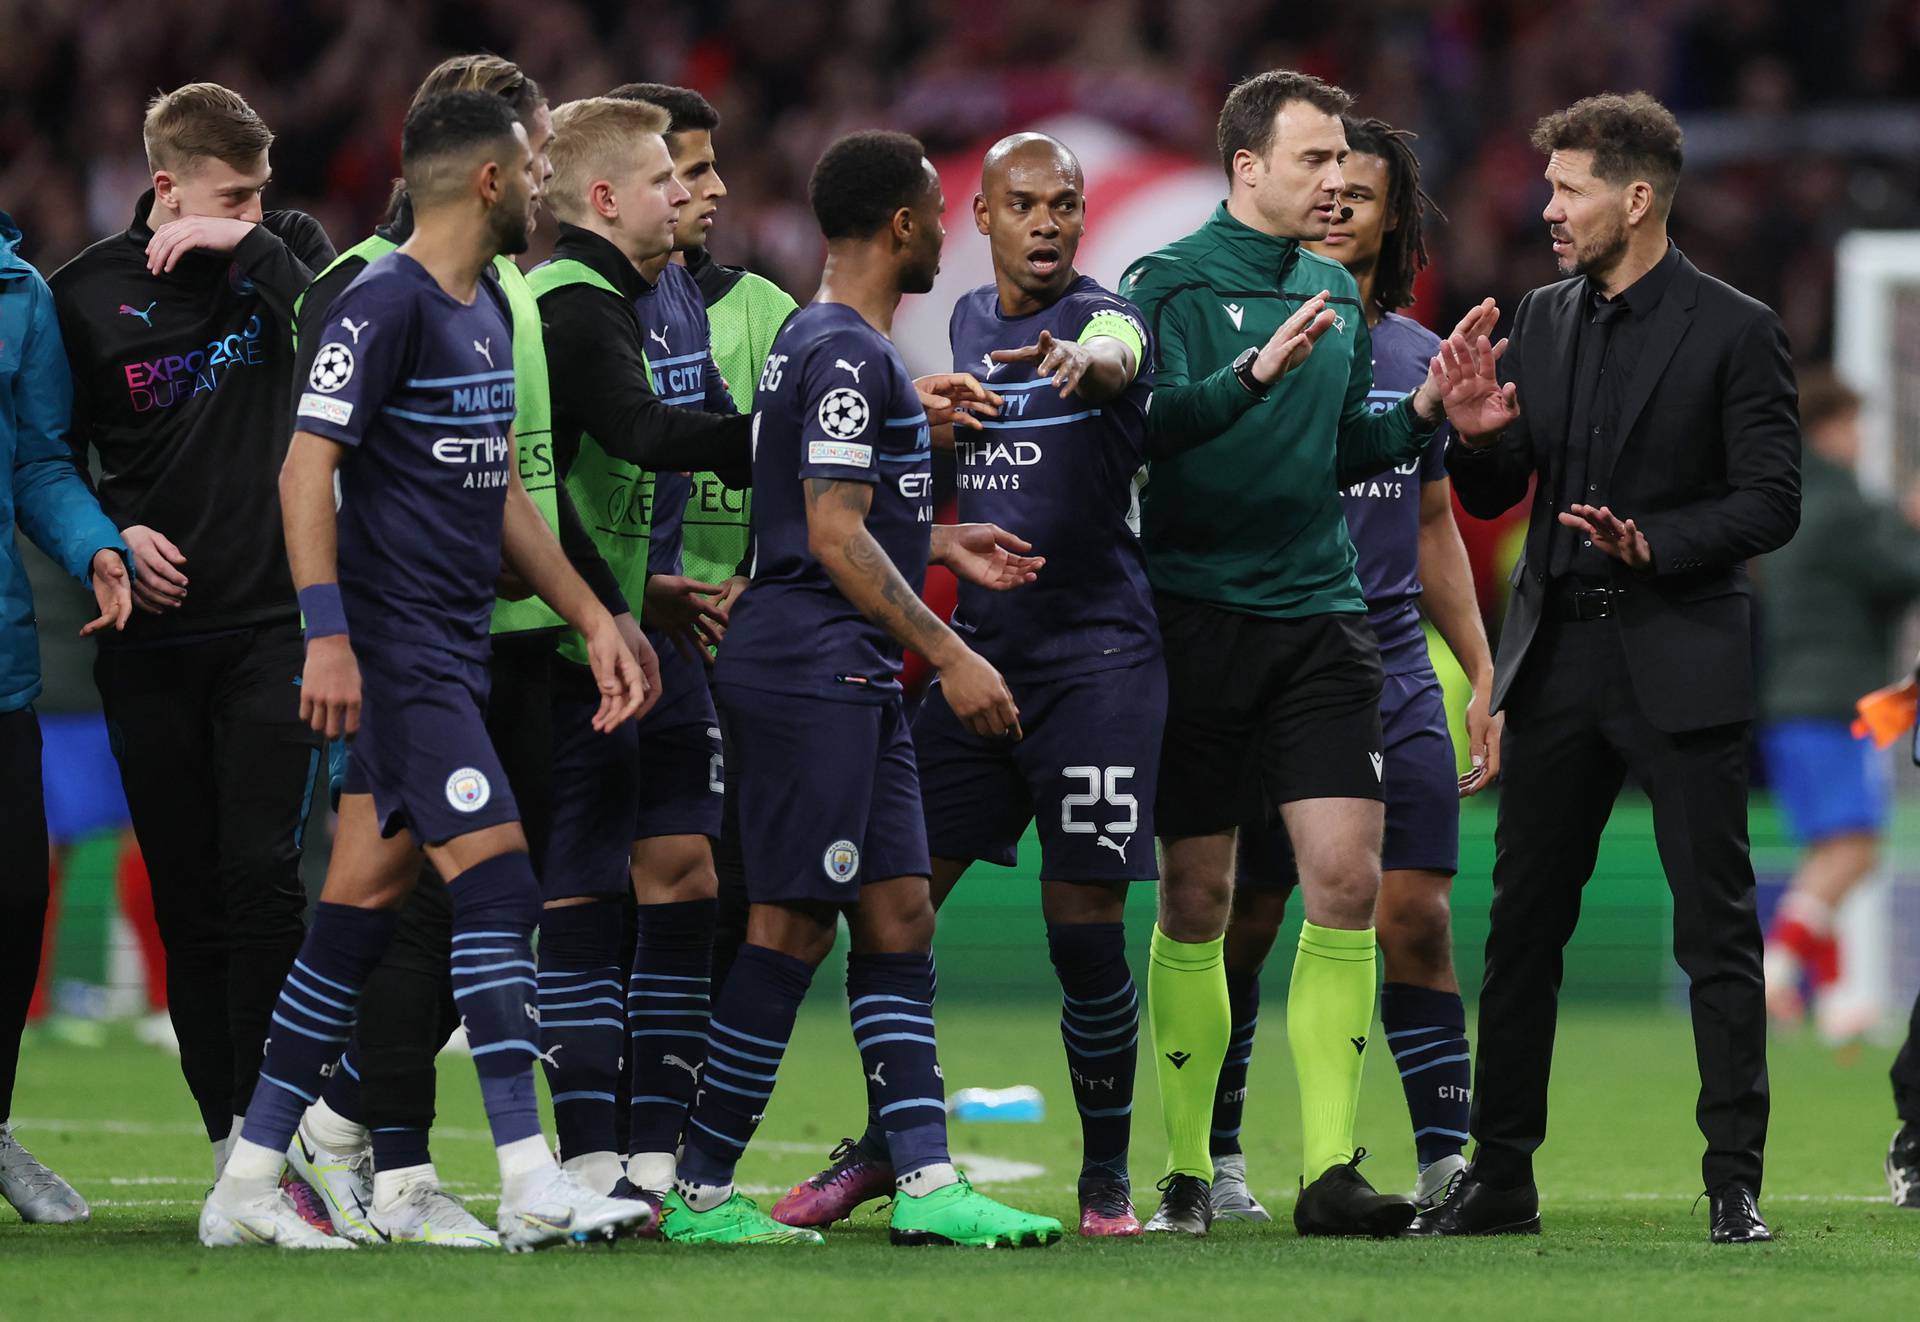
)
(1063, 477)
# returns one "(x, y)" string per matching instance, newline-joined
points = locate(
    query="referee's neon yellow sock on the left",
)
(1188, 1006)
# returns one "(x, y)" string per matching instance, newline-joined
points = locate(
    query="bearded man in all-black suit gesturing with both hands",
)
(1658, 410)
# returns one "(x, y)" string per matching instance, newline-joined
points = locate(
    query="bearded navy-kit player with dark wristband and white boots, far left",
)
(408, 413)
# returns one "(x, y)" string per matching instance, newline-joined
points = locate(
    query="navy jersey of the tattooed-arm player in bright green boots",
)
(834, 402)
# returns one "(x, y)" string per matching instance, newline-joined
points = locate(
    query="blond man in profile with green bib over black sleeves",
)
(636, 394)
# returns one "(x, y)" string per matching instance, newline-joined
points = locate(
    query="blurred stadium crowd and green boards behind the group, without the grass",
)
(1802, 126)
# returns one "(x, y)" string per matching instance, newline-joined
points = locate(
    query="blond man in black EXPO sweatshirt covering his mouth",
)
(180, 337)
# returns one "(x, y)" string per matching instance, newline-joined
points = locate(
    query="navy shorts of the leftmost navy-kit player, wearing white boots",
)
(423, 751)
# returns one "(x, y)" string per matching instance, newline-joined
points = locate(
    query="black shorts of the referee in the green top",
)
(1264, 713)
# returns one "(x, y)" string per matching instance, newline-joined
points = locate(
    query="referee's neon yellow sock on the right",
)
(1330, 1014)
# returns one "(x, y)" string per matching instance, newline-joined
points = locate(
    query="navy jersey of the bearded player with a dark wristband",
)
(421, 387)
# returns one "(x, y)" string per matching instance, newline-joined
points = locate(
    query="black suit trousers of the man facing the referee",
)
(1575, 734)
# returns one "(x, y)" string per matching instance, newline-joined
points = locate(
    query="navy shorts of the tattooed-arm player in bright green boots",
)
(828, 795)
